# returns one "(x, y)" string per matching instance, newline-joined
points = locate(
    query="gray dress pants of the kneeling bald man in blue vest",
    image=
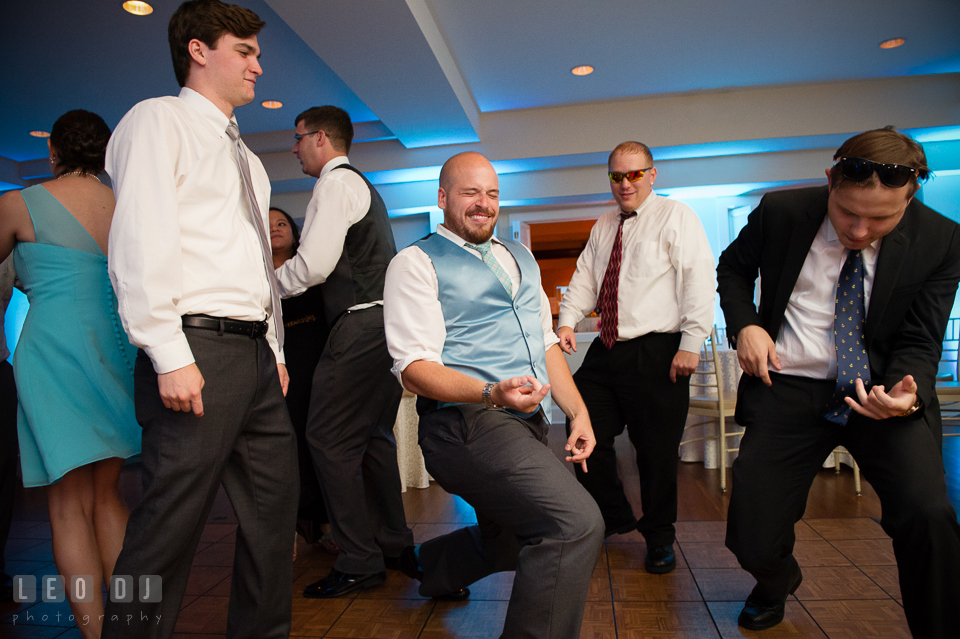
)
(533, 517)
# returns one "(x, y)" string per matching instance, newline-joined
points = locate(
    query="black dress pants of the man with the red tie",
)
(629, 385)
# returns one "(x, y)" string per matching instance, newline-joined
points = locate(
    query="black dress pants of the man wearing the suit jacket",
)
(783, 449)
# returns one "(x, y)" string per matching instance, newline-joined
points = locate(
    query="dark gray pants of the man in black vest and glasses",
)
(353, 408)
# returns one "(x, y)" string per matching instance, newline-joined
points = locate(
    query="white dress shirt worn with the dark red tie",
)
(667, 276)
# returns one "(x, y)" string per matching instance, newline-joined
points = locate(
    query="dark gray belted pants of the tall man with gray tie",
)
(244, 440)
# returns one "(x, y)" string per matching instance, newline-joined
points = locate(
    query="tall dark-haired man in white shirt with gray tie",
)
(189, 262)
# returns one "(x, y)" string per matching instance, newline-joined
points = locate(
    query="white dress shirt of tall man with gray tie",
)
(182, 241)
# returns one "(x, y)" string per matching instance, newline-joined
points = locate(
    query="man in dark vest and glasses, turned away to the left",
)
(346, 245)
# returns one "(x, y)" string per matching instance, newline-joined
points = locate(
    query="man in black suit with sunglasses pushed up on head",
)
(857, 282)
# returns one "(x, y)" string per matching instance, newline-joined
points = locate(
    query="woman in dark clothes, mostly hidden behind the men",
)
(306, 330)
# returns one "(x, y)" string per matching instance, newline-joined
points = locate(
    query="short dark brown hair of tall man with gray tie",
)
(207, 21)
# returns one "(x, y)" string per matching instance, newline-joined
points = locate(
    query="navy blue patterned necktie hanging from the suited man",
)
(848, 321)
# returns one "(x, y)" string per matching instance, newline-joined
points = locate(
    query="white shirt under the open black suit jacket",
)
(806, 346)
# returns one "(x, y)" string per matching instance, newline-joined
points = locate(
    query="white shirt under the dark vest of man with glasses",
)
(340, 200)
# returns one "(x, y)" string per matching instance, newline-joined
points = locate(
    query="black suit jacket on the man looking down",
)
(913, 289)
